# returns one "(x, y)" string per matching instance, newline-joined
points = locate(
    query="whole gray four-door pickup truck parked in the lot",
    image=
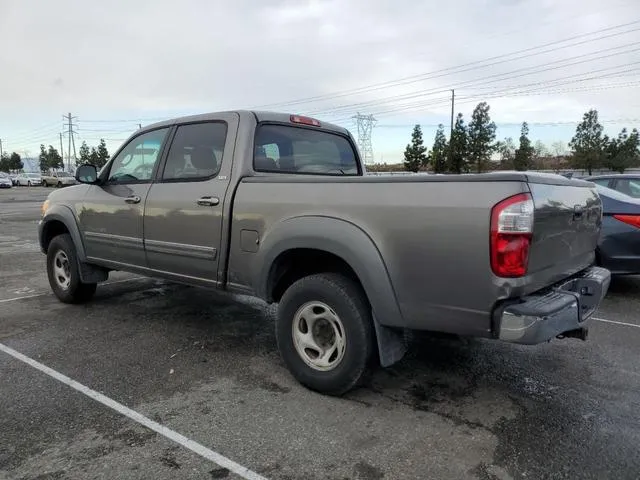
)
(280, 207)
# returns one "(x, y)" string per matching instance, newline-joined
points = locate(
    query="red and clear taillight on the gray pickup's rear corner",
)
(511, 231)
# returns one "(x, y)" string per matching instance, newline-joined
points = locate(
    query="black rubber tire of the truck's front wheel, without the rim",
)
(76, 292)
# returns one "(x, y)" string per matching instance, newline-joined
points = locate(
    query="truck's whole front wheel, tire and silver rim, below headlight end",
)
(63, 272)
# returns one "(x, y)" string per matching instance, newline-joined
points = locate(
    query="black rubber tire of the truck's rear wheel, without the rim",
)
(347, 299)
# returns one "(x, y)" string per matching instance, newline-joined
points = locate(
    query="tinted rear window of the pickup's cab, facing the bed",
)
(301, 150)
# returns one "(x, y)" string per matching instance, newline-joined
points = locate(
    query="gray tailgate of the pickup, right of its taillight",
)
(566, 226)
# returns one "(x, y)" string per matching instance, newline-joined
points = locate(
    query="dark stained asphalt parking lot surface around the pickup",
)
(205, 368)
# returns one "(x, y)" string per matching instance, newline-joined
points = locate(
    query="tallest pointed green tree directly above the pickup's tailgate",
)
(588, 144)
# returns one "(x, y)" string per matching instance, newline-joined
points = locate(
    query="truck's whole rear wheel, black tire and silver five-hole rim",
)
(324, 331)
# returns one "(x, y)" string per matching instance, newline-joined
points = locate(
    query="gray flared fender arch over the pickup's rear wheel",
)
(338, 237)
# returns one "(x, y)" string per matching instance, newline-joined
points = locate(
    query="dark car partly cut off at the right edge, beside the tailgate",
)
(619, 243)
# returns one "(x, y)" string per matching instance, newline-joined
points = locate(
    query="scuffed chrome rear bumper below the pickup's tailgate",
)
(566, 307)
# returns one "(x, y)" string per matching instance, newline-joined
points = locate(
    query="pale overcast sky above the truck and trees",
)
(114, 65)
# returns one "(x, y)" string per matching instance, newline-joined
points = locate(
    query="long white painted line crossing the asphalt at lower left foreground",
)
(181, 440)
